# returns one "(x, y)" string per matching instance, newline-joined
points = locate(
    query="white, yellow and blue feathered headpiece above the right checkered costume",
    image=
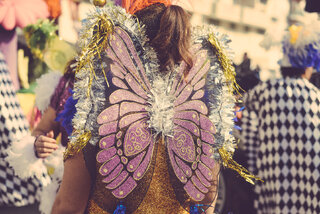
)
(301, 46)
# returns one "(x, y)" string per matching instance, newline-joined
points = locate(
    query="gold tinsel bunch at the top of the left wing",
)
(99, 34)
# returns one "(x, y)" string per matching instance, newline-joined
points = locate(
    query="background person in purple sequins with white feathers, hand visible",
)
(42, 151)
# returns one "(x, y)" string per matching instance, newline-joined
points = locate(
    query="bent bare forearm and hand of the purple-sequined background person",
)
(45, 144)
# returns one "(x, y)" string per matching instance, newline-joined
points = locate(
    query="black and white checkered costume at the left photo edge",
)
(13, 125)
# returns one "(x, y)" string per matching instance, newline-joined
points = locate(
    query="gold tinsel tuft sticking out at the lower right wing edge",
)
(227, 161)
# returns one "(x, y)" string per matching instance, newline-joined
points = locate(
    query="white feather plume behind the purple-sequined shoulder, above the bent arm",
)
(46, 85)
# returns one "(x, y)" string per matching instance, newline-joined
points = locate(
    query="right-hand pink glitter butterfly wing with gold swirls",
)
(190, 149)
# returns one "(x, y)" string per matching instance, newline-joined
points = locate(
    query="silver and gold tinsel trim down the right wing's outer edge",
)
(222, 84)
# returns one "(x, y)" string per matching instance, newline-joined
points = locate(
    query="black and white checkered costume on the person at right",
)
(281, 135)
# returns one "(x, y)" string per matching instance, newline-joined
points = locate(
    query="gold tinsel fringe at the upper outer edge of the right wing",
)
(225, 63)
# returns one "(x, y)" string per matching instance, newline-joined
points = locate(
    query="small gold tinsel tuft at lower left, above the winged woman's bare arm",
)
(77, 146)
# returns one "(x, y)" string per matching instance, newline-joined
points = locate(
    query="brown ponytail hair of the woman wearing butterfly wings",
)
(173, 34)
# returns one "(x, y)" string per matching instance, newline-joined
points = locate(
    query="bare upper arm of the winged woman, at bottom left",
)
(74, 191)
